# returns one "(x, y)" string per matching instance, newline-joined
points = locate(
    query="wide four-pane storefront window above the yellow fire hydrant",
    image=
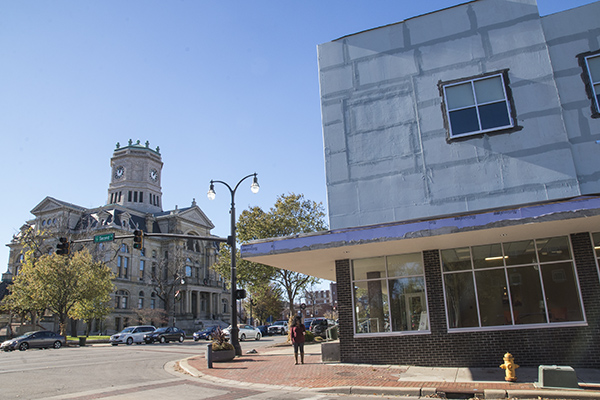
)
(511, 284)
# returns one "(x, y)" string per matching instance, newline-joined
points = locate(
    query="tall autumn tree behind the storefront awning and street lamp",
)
(292, 214)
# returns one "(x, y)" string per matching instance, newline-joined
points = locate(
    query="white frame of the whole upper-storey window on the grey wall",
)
(477, 105)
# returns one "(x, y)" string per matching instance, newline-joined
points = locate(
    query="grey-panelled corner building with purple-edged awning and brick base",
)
(463, 179)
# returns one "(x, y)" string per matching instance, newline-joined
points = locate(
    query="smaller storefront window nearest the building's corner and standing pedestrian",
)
(389, 294)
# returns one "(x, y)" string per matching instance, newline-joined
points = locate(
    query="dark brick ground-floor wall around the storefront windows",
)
(573, 346)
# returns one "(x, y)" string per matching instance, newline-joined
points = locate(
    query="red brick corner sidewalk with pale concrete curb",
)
(273, 368)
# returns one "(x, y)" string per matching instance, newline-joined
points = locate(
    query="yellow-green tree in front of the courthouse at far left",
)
(67, 286)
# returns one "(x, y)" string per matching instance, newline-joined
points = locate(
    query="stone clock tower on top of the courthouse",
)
(135, 177)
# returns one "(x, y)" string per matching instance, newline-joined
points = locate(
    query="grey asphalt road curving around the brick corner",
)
(122, 372)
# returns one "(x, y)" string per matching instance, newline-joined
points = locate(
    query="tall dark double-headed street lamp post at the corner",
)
(231, 241)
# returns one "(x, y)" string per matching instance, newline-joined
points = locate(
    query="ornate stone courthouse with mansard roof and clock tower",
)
(168, 273)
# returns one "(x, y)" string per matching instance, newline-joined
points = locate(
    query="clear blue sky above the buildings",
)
(224, 88)
